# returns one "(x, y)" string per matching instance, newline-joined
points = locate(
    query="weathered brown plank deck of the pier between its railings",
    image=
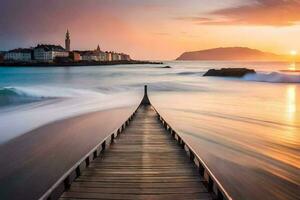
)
(144, 162)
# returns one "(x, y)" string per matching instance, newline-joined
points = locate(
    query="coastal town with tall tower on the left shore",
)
(56, 54)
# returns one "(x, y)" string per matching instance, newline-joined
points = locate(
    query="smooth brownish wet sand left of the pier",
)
(31, 163)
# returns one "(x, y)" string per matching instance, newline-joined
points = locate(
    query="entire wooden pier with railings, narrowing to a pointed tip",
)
(146, 159)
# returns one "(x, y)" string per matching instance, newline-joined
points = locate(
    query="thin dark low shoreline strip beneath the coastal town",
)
(78, 64)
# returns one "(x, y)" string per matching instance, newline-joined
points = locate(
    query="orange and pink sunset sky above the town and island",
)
(152, 29)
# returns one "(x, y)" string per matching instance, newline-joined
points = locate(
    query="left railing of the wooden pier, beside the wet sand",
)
(64, 183)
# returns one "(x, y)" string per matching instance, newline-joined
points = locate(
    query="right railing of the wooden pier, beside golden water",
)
(212, 183)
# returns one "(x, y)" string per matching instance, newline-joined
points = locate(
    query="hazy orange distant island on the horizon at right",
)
(232, 53)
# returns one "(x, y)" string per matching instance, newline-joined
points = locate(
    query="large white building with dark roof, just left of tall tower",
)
(47, 53)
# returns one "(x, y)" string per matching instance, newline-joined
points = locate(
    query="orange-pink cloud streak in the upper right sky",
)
(258, 13)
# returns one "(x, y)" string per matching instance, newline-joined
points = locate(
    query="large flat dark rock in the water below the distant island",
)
(229, 72)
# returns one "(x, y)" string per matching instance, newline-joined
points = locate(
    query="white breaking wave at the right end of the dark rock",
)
(274, 77)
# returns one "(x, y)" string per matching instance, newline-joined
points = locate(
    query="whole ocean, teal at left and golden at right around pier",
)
(246, 129)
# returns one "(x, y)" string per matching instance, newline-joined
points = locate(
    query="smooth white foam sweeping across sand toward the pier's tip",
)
(20, 119)
